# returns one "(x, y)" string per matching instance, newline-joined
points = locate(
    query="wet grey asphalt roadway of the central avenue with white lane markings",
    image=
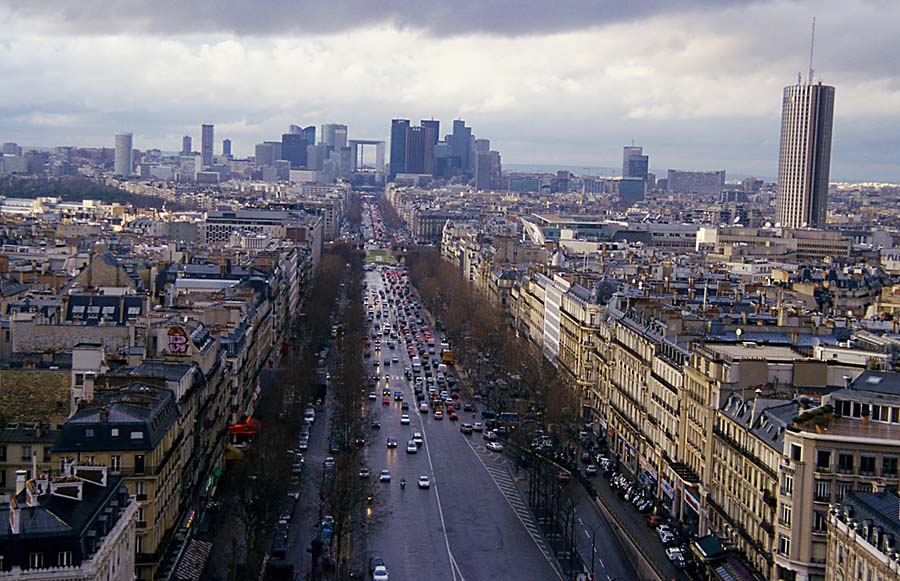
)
(473, 523)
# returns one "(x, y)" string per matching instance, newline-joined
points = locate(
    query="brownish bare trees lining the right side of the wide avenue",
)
(508, 371)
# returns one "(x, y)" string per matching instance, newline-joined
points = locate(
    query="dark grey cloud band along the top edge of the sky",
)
(264, 17)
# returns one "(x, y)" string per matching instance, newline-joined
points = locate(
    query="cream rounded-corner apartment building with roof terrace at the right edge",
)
(851, 443)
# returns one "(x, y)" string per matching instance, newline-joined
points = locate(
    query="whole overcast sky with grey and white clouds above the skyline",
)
(696, 82)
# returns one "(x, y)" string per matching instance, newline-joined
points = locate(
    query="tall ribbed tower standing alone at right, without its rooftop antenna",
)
(804, 161)
